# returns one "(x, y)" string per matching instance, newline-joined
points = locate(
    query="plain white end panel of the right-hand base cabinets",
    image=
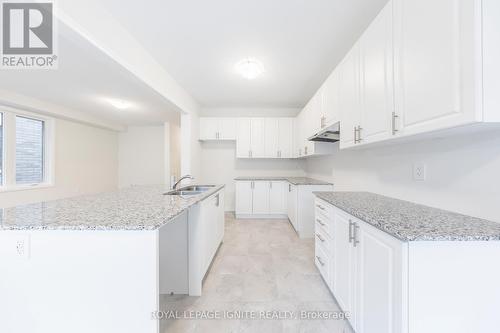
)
(454, 286)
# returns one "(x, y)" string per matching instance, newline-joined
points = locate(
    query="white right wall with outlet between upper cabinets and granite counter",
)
(463, 172)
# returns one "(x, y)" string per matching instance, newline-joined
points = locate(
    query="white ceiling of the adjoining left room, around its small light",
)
(85, 77)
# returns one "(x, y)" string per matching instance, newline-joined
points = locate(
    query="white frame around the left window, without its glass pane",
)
(9, 151)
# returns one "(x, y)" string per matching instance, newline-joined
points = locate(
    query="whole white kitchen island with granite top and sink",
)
(99, 263)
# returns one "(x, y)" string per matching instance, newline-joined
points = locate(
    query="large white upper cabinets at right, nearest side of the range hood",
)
(421, 66)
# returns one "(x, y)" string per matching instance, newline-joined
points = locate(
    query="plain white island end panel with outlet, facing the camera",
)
(78, 281)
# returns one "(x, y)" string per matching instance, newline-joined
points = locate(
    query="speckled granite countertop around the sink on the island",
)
(135, 208)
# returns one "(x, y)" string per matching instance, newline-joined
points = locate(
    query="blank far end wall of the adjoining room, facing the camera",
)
(142, 156)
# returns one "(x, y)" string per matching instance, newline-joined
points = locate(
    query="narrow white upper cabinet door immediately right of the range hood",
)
(349, 97)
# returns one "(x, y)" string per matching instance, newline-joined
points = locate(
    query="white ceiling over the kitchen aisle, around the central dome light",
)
(198, 42)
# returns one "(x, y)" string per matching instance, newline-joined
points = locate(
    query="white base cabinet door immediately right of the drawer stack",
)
(344, 276)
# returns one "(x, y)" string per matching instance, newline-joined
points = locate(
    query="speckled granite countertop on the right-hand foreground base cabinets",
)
(412, 222)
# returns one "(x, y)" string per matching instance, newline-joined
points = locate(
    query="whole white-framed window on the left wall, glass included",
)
(25, 158)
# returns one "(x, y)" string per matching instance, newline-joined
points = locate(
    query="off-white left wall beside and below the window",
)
(86, 161)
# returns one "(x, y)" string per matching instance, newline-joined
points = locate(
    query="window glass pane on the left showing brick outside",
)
(29, 150)
